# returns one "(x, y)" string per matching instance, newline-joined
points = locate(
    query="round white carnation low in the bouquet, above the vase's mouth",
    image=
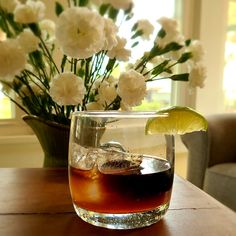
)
(67, 89)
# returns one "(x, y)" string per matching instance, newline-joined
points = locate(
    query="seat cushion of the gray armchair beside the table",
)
(220, 182)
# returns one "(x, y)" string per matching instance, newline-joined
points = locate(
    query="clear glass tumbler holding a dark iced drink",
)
(120, 177)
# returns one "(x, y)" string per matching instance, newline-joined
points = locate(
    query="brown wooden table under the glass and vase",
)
(37, 202)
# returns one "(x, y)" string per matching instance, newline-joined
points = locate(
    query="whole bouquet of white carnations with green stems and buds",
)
(82, 61)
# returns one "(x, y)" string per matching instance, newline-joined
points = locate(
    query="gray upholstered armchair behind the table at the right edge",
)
(212, 158)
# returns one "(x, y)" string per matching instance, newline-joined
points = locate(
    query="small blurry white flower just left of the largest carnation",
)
(48, 28)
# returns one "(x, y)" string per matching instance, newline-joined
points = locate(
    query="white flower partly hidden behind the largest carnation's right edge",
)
(110, 34)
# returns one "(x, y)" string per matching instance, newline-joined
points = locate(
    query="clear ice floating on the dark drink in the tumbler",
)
(110, 159)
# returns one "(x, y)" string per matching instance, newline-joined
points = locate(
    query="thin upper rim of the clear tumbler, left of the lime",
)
(120, 114)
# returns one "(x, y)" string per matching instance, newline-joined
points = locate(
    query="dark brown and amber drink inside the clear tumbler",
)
(123, 193)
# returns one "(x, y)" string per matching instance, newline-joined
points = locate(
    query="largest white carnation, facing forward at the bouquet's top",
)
(80, 32)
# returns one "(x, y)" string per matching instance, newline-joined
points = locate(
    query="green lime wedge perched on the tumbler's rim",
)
(176, 120)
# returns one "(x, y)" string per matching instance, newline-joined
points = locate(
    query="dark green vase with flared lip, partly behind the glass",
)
(53, 138)
